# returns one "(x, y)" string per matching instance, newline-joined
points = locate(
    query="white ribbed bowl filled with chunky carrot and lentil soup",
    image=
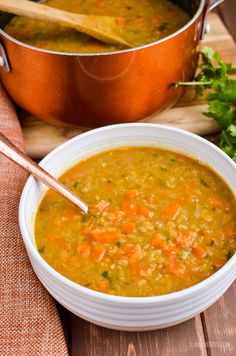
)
(158, 244)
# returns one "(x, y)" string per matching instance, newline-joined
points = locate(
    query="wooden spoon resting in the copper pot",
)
(103, 28)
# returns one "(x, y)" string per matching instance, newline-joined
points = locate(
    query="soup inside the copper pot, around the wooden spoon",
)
(143, 22)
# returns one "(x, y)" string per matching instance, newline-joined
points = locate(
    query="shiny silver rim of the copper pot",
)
(182, 29)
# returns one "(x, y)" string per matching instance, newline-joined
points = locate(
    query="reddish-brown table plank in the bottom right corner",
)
(219, 324)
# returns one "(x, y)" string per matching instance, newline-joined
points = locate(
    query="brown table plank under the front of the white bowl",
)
(90, 340)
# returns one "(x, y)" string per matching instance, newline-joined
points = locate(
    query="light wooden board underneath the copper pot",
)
(40, 137)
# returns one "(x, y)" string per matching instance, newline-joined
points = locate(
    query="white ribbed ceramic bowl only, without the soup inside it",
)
(115, 312)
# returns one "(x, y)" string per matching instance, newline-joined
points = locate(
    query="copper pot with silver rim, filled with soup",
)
(67, 78)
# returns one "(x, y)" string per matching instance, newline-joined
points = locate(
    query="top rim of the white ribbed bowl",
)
(187, 292)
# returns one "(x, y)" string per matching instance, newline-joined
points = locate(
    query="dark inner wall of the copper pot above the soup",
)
(190, 6)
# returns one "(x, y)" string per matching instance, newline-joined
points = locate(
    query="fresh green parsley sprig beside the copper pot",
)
(213, 78)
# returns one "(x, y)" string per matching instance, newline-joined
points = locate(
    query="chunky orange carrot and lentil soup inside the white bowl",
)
(159, 222)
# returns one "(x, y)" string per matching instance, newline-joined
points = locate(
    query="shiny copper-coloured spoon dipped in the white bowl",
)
(13, 153)
